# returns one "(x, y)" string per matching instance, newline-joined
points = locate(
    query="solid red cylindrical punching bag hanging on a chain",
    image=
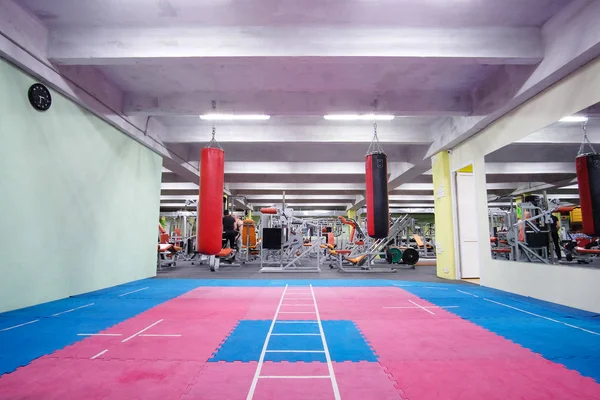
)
(210, 201)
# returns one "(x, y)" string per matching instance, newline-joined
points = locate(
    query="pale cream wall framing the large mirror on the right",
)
(571, 286)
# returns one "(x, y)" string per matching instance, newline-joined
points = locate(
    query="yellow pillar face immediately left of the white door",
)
(444, 222)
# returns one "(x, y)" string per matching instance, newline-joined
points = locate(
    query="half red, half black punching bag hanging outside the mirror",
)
(378, 218)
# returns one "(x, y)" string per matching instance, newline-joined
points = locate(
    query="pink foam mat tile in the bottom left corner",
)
(50, 379)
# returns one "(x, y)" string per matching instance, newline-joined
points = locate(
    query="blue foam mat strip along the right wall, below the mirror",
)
(534, 324)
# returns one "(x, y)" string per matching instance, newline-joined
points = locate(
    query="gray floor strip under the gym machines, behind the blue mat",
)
(186, 270)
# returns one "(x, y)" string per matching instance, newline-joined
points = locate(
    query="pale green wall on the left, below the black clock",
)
(79, 200)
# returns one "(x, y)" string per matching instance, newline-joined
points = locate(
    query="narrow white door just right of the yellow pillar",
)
(468, 240)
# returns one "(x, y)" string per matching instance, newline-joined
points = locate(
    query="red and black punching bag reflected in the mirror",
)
(588, 180)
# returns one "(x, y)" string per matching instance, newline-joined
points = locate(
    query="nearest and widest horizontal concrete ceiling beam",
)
(129, 46)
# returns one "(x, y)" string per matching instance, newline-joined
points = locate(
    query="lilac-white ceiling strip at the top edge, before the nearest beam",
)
(410, 13)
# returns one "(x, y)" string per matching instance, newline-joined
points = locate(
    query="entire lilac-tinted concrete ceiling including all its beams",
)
(444, 68)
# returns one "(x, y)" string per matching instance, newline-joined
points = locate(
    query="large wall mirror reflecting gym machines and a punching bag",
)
(534, 200)
